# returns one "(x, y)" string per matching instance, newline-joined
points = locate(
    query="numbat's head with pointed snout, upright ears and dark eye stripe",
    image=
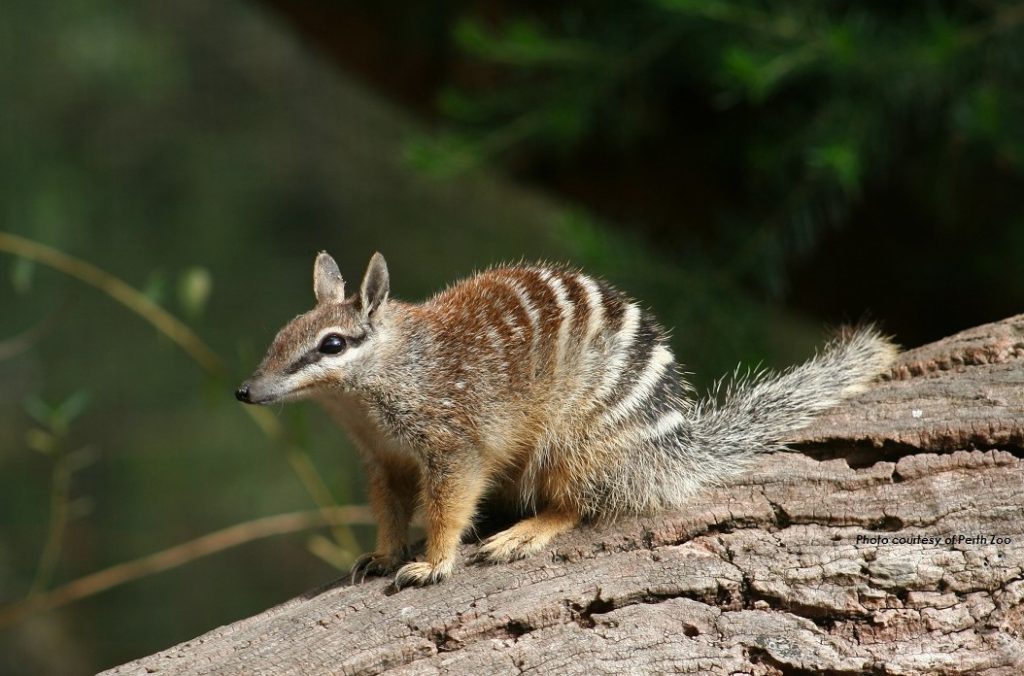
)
(328, 348)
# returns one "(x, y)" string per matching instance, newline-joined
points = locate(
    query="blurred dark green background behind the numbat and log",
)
(755, 173)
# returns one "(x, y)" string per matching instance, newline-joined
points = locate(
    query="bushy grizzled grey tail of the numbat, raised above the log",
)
(757, 413)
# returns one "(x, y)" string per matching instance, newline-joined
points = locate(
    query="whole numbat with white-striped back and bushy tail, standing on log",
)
(539, 385)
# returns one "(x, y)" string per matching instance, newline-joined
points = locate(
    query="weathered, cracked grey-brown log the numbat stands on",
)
(766, 576)
